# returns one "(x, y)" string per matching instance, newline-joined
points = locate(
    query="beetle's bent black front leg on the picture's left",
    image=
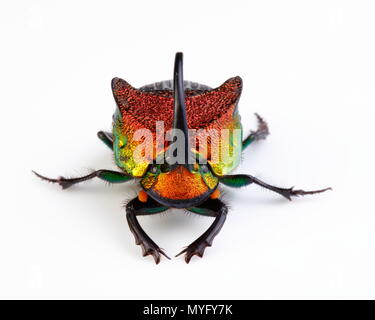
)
(135, 208)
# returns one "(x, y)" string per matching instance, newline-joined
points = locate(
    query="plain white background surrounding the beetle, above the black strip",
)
(308, 68)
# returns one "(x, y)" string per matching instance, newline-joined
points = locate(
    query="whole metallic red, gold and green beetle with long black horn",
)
(192, 182)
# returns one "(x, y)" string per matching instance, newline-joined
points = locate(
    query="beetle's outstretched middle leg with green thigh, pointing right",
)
(241, 180)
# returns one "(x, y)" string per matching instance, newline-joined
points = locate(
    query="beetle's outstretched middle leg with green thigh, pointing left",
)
(106, 175)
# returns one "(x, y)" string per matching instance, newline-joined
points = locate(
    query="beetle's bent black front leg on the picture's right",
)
(213, 208)
